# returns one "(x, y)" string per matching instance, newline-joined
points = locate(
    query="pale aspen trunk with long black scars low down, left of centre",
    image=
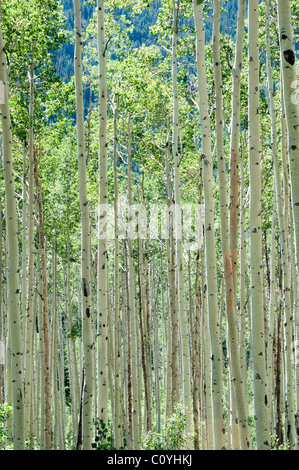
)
(85, 307)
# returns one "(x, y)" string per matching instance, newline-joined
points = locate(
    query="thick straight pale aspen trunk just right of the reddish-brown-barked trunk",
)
(256, 259)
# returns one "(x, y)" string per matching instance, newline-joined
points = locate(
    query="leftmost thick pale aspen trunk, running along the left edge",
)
(13, 283)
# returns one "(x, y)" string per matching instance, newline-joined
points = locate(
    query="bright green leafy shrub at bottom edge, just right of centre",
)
(173, 436)
